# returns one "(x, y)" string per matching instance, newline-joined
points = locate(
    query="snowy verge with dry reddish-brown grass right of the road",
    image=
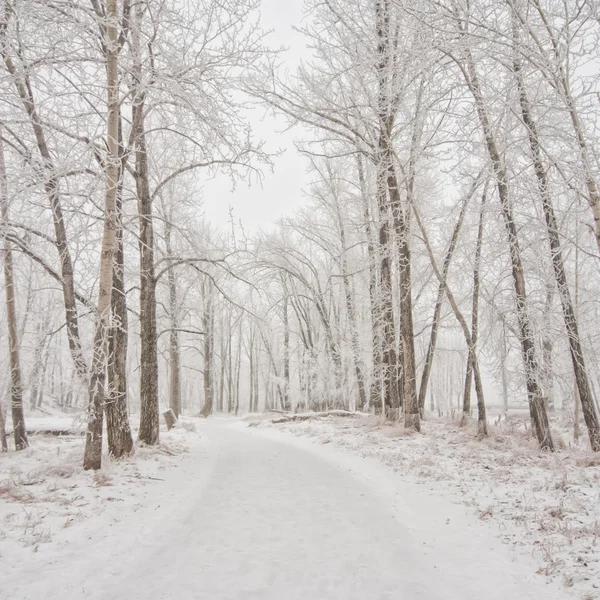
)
(544, 504)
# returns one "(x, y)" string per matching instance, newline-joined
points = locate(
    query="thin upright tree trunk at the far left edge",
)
(16, 388)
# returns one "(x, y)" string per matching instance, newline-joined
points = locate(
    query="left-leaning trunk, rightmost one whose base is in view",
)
(585, 393)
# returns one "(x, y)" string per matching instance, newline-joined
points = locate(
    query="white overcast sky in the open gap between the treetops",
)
(281, 191)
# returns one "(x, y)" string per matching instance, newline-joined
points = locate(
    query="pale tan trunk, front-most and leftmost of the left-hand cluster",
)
(93, 447)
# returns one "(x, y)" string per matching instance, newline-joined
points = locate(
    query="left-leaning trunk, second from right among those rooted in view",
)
(537, 405)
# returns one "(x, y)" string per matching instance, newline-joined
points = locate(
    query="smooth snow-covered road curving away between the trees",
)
(256, 517)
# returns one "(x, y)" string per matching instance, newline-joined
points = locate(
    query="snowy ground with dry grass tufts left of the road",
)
(44, 489)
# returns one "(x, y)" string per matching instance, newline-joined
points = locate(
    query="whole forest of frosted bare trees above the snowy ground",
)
(445, 260)
